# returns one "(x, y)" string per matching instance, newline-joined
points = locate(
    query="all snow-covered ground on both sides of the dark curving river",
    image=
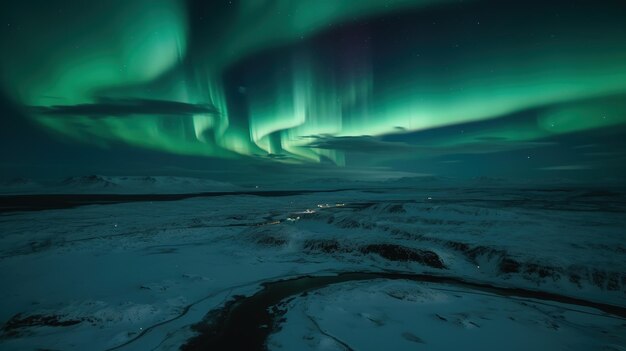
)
(138, 275)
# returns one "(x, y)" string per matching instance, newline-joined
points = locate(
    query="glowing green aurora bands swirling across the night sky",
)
(291, 90)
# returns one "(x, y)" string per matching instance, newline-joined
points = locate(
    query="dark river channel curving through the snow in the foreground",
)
(245, 323)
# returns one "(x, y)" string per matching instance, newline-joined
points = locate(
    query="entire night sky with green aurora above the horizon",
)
(295, 89)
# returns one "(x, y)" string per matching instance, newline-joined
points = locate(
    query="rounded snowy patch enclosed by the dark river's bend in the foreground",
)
(402, 315)
